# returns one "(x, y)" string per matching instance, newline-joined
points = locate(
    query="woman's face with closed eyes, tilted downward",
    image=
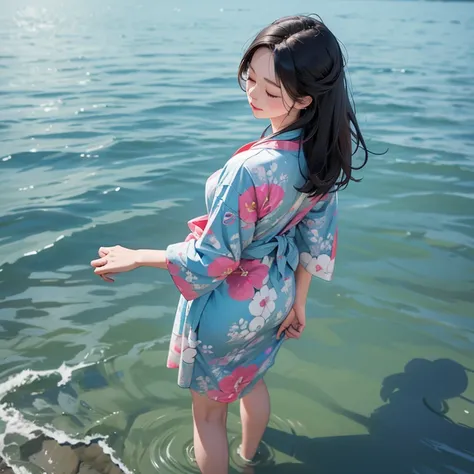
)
(266, 95)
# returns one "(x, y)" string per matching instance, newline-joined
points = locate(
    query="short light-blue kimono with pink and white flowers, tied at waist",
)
(235, 270)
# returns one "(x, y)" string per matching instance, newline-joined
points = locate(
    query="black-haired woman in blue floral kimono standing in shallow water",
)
(245, 269)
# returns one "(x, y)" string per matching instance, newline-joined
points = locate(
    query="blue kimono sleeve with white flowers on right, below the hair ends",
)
(316, 238)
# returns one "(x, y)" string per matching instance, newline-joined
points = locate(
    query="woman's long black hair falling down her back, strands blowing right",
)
(309, 62)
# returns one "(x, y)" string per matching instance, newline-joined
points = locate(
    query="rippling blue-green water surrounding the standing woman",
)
(112, 116)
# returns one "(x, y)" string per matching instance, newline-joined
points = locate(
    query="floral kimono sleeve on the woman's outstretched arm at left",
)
(198, 266)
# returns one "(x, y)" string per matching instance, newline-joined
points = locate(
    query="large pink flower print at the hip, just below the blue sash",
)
(249, 275)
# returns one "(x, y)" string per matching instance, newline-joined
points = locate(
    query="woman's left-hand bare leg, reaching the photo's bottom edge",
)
(210, 435)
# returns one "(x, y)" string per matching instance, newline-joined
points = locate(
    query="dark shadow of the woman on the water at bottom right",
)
(410, 433)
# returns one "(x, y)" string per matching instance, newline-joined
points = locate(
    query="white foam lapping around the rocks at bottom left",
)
(15, 423)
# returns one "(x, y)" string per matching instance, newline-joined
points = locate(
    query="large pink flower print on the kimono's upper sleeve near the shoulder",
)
(256, 203)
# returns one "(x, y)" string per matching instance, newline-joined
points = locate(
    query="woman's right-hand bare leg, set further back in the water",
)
(254, 415)
